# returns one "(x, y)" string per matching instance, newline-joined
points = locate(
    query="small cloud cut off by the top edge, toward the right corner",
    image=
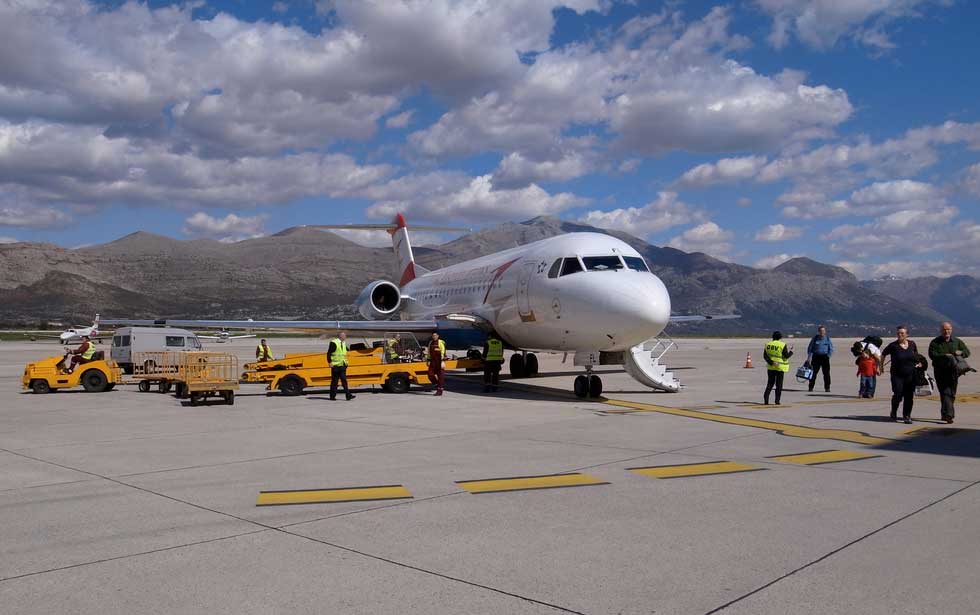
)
(822, 23)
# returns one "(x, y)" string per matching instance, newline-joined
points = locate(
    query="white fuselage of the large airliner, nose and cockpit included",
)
(533, 305)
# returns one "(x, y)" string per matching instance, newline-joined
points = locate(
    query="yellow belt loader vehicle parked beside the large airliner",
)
(394, 363)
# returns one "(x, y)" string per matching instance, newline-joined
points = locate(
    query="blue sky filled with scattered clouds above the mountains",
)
(756, 131)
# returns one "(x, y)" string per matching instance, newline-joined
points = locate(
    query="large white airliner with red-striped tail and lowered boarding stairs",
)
(590, 295)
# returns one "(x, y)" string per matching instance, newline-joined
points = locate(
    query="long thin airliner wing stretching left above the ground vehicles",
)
(351, 326)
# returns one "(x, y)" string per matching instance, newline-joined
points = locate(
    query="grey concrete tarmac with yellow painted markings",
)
(126, 502)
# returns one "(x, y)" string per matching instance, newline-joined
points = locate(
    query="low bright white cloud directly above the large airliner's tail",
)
(475, 201)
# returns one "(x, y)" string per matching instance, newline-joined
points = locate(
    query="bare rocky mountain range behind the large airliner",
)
(306, 273)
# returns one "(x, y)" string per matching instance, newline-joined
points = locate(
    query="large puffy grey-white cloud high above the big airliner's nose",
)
(674, 88)
